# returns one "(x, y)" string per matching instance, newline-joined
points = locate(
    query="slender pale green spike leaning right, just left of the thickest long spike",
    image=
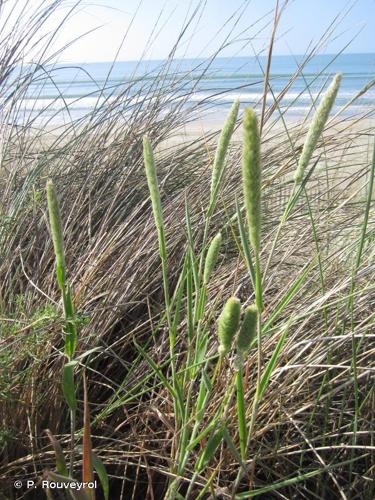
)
(222, 147)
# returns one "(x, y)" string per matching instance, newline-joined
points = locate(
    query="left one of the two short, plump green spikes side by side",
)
(227, 324)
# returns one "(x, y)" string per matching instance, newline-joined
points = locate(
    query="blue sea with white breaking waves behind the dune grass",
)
(62, 92)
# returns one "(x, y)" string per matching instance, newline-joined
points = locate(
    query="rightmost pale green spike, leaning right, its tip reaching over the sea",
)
(316, 127)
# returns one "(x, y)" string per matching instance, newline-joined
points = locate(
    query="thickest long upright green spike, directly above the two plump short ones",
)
(251, 175)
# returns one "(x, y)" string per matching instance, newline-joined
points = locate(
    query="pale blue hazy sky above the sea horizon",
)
(303, 21)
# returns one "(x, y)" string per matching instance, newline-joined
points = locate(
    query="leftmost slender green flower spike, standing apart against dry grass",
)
(56, 233)
